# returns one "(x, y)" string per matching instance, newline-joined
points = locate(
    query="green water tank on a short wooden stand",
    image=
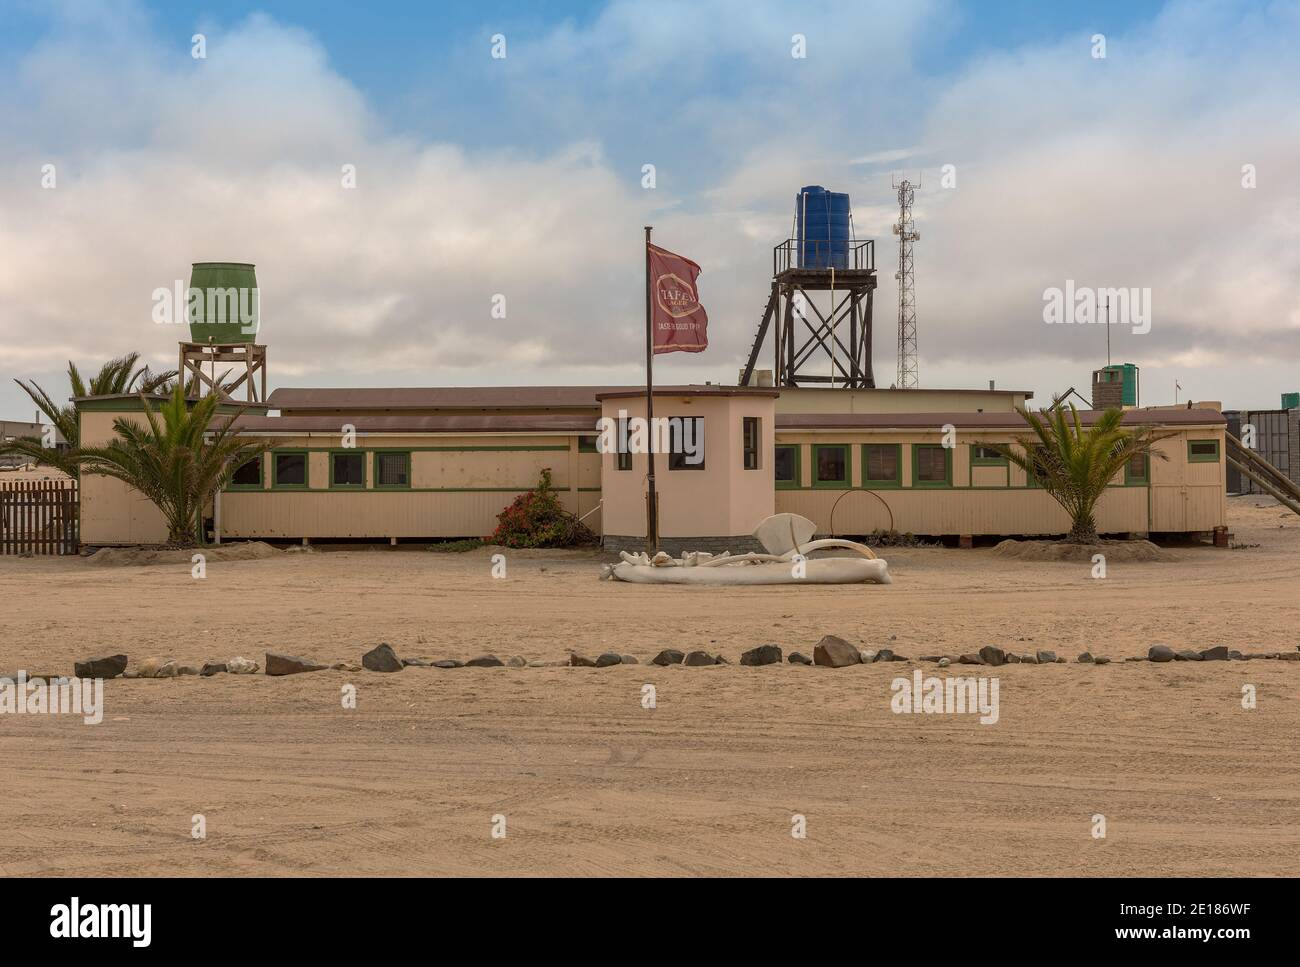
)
(224, 309)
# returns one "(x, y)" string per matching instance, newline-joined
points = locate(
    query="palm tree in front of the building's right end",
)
(1074, 465)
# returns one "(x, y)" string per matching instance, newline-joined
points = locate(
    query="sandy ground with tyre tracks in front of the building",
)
(708, 783)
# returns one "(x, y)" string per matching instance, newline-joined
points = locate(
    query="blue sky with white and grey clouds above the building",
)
(522, 176)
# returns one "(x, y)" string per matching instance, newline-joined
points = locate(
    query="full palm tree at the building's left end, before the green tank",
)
(179, 461)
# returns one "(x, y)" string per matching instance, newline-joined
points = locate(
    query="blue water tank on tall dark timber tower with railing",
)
(820, 307)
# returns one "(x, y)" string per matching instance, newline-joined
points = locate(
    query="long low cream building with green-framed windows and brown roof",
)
(443, 463)
